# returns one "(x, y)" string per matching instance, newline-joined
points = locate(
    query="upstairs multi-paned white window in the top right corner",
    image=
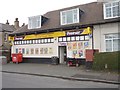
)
(112, 10)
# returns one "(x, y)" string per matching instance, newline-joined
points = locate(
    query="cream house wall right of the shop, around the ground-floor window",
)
(99, 32)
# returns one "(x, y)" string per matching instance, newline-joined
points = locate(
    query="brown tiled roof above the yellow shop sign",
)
(92, 14)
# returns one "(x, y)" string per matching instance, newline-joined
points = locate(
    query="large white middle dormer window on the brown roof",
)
(69, 16)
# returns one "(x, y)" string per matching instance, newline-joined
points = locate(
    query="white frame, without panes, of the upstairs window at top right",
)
(104, 9)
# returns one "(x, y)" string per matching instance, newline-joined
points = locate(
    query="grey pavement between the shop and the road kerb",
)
(62, 71)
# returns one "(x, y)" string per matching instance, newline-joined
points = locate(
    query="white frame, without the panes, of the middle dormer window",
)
(65, 23)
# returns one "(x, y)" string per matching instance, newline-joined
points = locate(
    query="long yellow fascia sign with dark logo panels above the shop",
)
(52, 34)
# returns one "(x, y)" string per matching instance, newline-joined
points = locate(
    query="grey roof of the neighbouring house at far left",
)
(6, 28)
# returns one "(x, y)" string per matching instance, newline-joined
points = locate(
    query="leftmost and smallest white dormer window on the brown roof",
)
(34, 22)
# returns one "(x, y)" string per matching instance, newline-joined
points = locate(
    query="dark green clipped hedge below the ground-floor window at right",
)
(107, 61)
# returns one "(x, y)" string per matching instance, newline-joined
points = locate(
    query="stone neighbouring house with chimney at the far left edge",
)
(5, 29)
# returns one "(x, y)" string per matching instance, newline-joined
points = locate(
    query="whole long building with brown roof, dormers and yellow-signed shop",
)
(67, 33)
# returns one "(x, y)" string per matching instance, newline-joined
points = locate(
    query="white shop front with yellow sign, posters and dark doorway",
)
(40, 48)
